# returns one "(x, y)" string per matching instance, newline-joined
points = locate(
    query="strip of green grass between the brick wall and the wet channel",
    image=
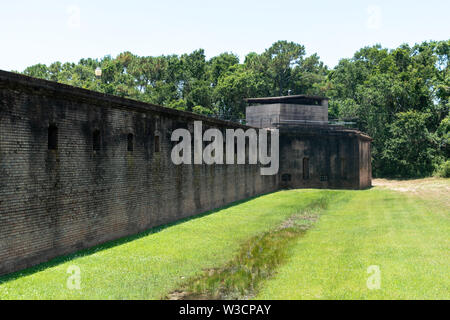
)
(152, 265)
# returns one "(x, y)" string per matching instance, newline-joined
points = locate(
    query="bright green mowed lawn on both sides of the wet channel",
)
(405, 236)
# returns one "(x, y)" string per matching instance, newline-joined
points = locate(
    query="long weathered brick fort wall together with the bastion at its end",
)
(79, 168)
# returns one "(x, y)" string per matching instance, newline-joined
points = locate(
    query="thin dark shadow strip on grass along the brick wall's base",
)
(113, 243)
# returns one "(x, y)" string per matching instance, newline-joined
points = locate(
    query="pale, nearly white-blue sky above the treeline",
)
(46, 31)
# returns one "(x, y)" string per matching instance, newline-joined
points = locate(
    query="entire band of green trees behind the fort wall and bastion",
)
(393, 95)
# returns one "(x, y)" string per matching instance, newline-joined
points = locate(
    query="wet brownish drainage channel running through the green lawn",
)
(257, 260)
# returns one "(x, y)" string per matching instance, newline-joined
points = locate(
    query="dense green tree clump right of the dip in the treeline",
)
(399, 97)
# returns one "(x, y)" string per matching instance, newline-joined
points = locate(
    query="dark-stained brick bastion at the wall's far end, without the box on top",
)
(338, 158)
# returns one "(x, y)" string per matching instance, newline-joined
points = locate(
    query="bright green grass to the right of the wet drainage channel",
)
(407, 237)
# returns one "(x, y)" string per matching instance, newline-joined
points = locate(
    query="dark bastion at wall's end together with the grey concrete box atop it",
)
(313, 154)
